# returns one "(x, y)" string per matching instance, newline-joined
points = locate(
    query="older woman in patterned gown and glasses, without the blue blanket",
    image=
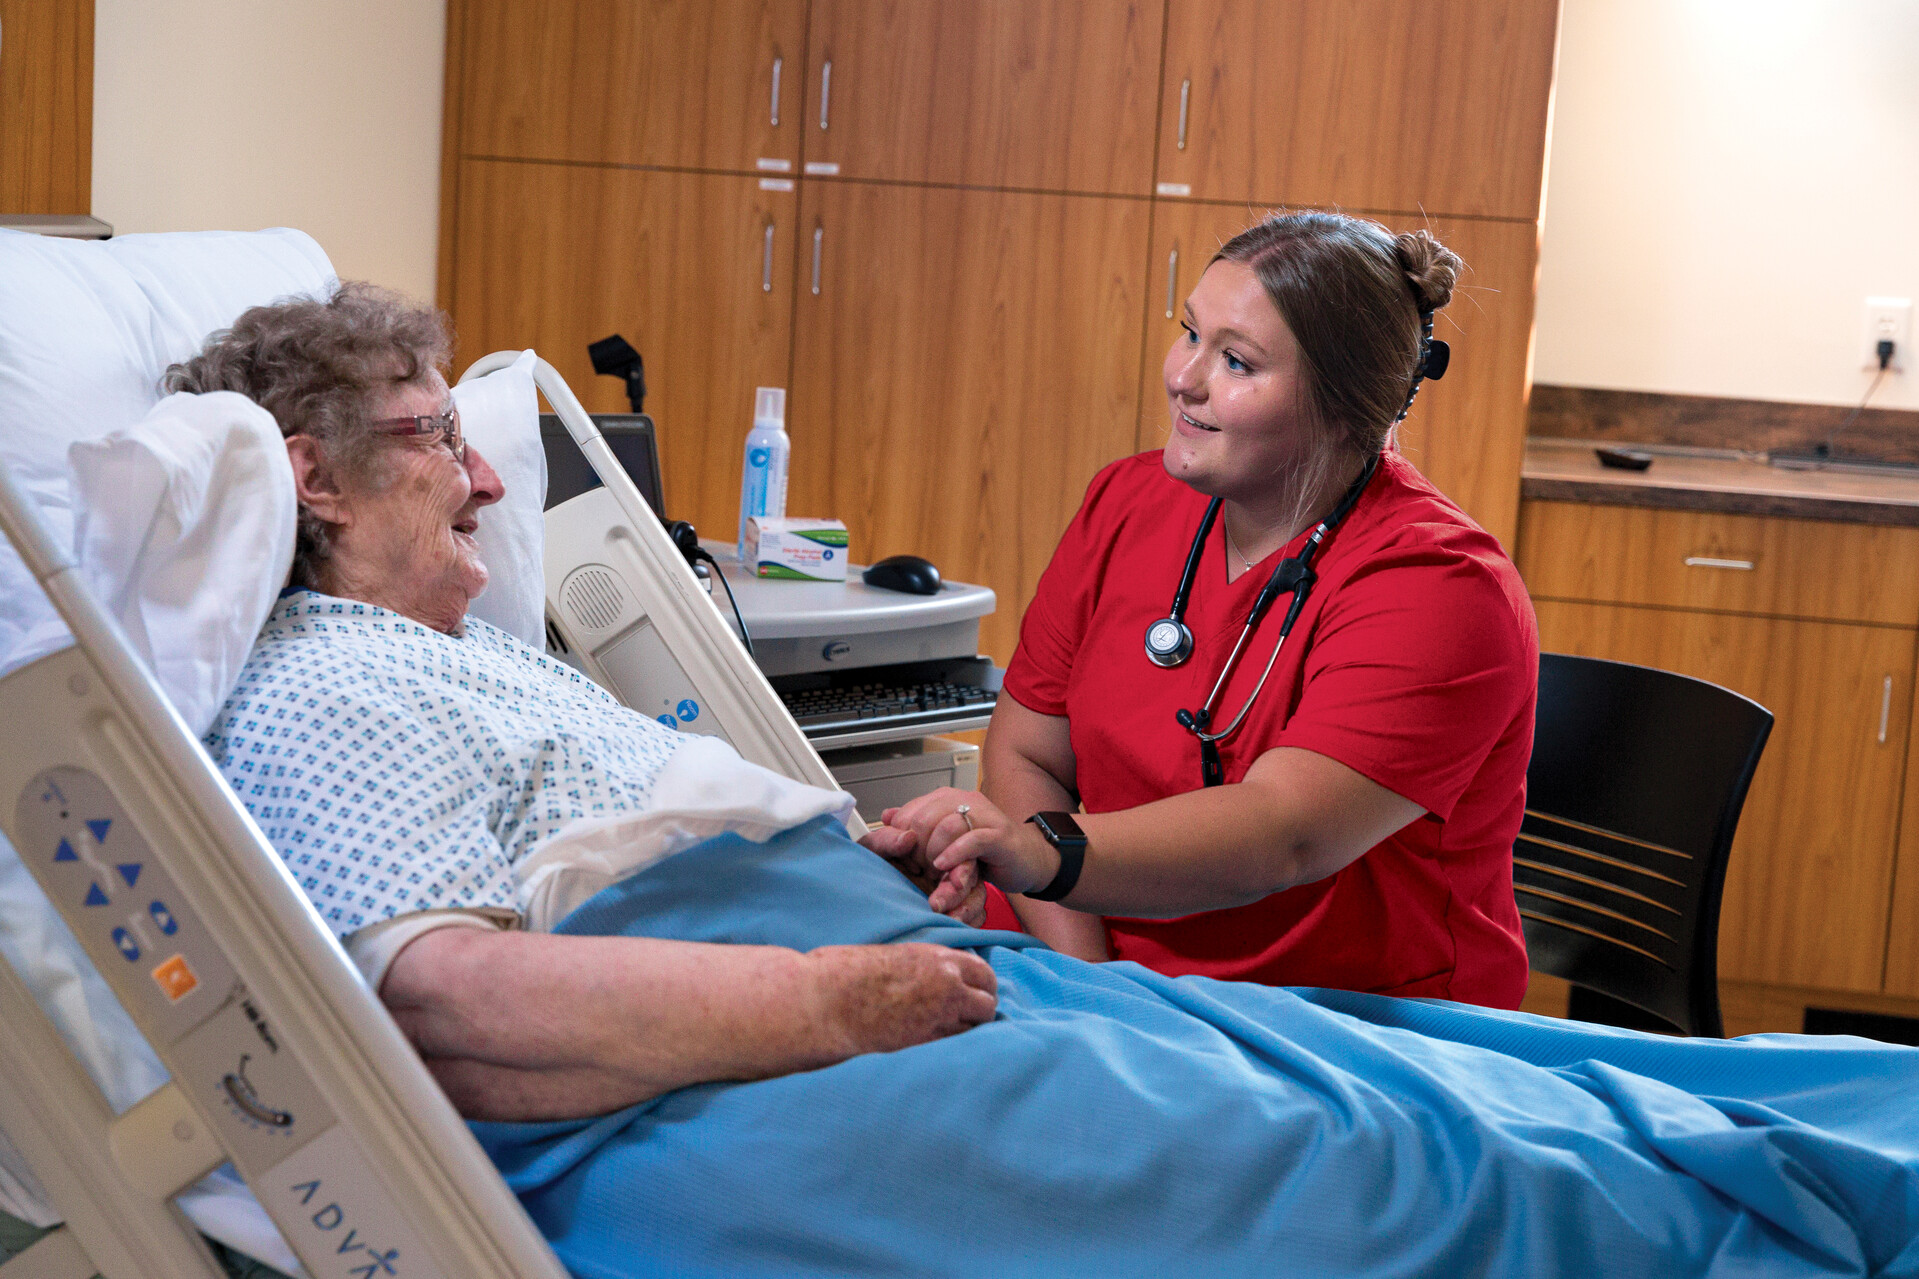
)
(452, 752)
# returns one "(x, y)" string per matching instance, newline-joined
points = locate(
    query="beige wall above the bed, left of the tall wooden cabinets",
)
(243, 114)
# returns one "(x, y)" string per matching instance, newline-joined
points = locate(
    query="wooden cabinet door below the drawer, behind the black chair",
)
(1812, 865)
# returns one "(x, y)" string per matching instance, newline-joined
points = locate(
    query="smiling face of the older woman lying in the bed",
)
(406, 541)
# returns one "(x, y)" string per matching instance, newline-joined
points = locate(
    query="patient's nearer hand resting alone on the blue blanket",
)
(878, 1000)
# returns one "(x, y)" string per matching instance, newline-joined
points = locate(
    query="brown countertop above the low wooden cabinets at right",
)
(1717, 481)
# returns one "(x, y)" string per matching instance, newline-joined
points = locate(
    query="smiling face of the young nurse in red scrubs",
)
(1235, 393)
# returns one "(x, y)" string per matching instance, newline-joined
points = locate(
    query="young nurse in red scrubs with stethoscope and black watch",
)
(1317, 792)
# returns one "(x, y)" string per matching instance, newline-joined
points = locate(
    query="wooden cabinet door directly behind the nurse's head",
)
(1467, 431)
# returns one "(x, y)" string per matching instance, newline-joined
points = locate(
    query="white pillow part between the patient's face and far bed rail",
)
(500, 416)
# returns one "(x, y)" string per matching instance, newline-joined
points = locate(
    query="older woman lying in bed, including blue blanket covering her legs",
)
(765, 1053)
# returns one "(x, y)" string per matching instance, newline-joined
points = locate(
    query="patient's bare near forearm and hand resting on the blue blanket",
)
(540, 1026)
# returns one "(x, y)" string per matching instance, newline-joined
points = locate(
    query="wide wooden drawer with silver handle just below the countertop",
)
(1732, 564)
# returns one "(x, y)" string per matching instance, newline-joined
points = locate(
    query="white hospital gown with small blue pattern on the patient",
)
(400, 769)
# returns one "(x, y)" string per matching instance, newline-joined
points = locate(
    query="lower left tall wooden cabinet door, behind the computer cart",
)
(696, 270)
